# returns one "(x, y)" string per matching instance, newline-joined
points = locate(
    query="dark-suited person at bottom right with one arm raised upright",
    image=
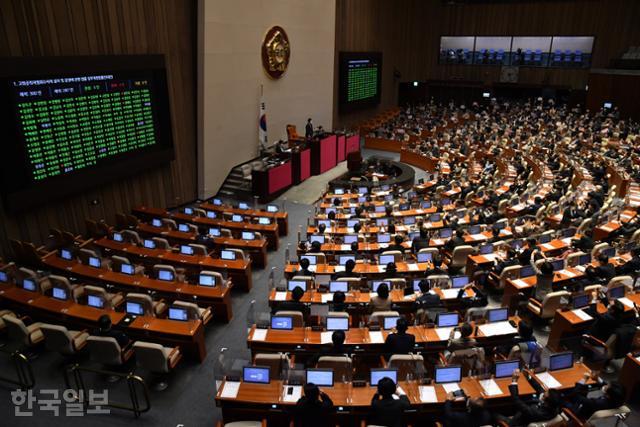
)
(543, 409)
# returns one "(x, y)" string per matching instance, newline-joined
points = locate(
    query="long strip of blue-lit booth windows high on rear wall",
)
(528, 51)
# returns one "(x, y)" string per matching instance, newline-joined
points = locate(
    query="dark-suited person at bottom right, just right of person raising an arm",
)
(613, 396)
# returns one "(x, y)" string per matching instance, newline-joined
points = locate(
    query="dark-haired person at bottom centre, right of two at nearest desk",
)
(387, 409)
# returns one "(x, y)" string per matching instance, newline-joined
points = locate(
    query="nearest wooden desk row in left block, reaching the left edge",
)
(188, 335)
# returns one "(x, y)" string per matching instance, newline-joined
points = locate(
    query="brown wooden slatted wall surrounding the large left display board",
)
(110, 27)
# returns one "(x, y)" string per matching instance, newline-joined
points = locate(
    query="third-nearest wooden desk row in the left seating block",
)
(239, 270)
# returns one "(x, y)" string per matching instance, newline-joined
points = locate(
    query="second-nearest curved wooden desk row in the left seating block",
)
(219, 297)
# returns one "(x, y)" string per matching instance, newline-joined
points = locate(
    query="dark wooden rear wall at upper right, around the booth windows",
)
(408, 33)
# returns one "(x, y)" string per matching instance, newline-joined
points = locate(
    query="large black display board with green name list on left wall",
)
(75, 123)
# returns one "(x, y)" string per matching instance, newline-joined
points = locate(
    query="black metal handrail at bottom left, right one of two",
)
(76, 371)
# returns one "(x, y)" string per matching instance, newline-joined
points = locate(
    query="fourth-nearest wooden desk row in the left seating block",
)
(257, 249)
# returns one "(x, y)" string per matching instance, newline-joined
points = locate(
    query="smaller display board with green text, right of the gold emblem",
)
(360, 79)
